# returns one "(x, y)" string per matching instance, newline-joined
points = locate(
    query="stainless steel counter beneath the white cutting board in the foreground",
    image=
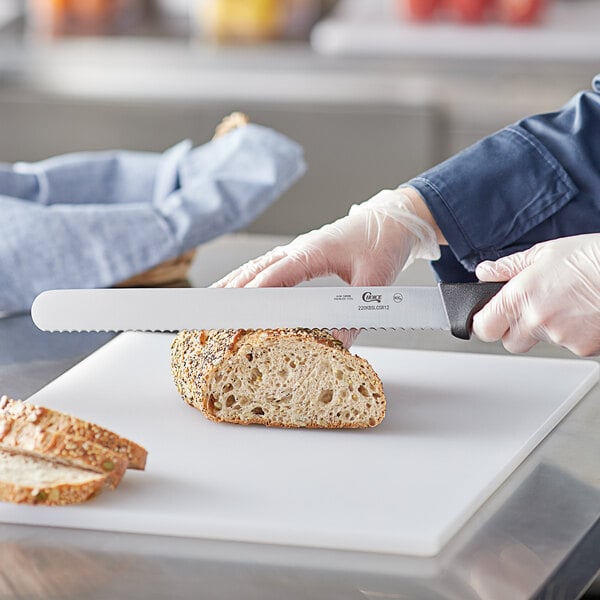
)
(538, 536)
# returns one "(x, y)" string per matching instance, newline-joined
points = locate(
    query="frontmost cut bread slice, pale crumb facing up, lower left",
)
(26, 479)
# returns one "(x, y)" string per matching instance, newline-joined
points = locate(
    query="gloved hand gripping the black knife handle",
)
(552, 294)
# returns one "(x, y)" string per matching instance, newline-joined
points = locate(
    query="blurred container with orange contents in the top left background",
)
(84, 17)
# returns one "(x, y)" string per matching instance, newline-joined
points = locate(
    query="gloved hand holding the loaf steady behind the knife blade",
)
(370, 246)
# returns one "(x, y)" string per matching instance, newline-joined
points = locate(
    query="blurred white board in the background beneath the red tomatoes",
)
(567, 31)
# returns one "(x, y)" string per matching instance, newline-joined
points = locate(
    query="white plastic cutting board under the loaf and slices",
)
(457, 425)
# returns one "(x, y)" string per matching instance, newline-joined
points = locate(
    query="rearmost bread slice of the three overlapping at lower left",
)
(53, 421)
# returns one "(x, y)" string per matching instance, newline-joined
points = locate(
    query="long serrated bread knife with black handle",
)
(449, 306)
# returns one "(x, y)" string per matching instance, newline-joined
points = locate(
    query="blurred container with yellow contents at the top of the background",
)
(257, 20)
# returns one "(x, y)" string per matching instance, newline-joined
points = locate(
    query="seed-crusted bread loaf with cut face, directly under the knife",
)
(276, 377)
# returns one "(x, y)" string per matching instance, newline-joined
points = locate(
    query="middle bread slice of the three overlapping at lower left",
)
(17, 433)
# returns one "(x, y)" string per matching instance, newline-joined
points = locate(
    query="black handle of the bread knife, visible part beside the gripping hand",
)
(463, 300)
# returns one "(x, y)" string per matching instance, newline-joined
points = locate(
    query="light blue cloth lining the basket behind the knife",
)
(63, 225)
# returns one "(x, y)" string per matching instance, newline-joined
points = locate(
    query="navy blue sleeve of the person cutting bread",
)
(536, 180)
